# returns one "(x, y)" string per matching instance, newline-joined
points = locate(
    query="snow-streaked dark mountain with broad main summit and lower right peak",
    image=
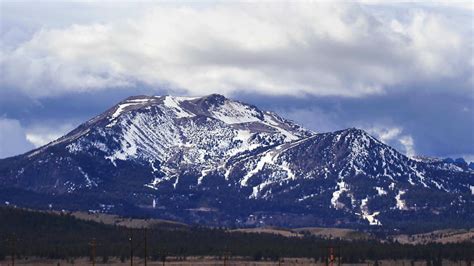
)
(215, 161)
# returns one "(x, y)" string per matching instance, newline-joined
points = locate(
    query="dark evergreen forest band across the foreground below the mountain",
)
(27, 233)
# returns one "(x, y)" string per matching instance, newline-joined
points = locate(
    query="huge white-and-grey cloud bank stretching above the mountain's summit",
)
(274, 49)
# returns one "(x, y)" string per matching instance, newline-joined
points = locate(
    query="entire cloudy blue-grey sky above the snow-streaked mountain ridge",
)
(403, 71)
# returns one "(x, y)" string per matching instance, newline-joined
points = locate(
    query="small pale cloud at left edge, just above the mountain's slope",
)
(12, 138)
